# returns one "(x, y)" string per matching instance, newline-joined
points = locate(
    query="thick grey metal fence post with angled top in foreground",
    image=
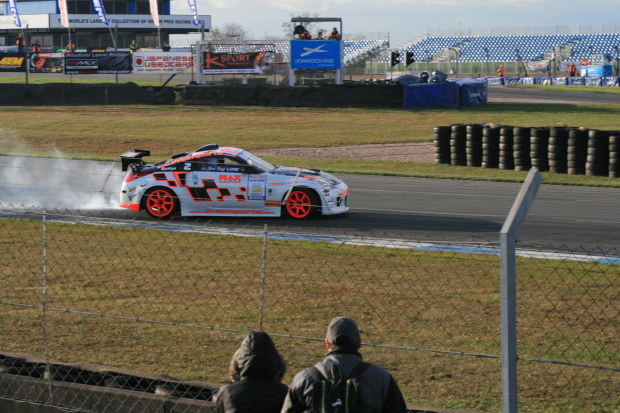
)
(508, 286)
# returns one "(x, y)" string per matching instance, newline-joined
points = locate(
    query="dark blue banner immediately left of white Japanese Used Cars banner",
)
(97, 63)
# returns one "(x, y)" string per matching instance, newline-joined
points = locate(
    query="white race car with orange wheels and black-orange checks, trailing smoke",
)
(214, 181)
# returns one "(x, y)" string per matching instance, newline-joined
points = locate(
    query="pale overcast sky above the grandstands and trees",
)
(404, 20)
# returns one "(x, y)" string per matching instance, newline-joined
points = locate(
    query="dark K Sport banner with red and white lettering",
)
(256, 63)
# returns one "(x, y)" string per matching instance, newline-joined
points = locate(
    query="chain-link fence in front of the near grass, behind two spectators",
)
(103, 314)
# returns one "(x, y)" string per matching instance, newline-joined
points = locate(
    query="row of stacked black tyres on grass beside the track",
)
(575, 151)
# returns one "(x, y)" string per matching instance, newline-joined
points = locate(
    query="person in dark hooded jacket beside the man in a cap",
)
(256, 371)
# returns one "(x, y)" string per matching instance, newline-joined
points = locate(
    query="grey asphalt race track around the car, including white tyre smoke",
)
(433, 210)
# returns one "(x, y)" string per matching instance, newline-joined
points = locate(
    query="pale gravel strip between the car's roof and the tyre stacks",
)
(412, 152)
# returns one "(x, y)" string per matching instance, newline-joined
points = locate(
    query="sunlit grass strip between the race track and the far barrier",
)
(95, 132)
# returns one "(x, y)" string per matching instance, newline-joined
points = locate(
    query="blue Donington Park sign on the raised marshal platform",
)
(316, 54)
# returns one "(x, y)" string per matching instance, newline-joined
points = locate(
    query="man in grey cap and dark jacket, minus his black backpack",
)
(379, 392)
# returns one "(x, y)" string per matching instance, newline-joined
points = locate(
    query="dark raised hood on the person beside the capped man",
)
(259, 358)
